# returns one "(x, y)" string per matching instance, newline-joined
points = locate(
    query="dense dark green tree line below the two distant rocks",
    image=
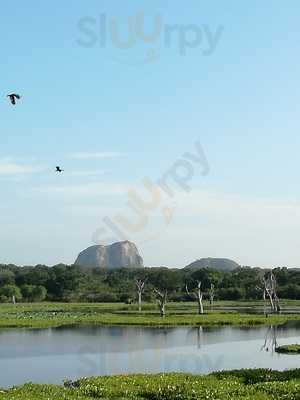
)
(69, 283)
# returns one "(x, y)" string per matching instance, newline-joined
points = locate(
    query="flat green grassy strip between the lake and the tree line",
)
(45, 315)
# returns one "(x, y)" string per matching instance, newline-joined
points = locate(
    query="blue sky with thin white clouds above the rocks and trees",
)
(113, 116)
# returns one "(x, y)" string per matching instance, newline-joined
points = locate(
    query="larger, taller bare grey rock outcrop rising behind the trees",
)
(117, 255)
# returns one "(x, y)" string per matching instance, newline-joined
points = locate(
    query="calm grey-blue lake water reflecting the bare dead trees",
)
(52, 355)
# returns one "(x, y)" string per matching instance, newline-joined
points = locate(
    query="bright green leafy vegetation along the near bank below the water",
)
(237, 385)
